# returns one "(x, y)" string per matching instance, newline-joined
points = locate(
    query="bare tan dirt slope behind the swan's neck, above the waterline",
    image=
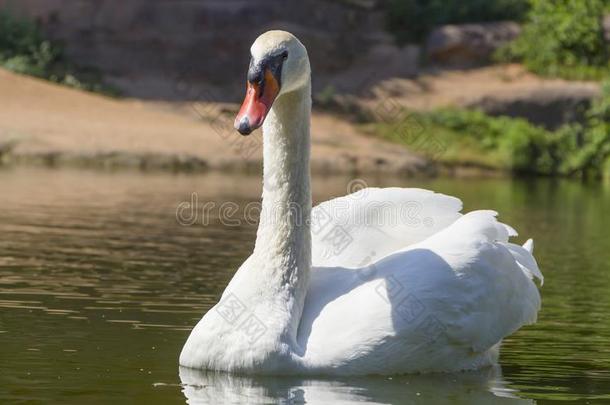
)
(44, 123)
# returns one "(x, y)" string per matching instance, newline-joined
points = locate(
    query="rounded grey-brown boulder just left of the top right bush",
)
(469, 45)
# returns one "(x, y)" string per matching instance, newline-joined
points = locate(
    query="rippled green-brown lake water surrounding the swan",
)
(100, 284)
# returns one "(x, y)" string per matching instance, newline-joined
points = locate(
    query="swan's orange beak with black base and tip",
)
(259, 98)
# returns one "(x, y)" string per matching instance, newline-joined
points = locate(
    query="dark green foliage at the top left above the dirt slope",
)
(23, 49)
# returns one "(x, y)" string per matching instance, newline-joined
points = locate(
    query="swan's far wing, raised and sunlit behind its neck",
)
(363, 227)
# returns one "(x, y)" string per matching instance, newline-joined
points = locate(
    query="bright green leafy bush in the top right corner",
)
(563, 38)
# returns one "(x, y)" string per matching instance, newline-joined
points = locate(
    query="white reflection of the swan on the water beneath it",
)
(481, 387)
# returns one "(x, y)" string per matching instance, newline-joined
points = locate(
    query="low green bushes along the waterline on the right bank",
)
(472, 137)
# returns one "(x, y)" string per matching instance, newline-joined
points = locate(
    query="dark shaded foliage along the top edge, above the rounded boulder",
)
(412, 20)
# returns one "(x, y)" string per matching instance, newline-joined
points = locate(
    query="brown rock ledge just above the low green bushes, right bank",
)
(550, 106)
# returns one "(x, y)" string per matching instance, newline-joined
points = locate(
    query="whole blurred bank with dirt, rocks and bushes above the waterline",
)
(401, 86)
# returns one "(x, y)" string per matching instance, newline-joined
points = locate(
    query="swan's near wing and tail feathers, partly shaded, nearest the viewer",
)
(442, 304)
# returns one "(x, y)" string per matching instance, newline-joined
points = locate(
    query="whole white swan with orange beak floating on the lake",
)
(381, 281)
